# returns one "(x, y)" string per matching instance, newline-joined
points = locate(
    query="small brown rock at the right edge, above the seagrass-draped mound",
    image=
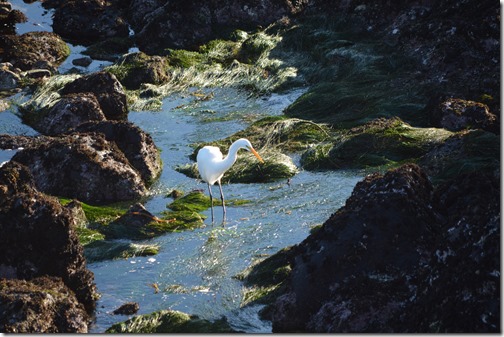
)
(457, 114)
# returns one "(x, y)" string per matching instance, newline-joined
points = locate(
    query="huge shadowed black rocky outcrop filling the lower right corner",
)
(398, 257)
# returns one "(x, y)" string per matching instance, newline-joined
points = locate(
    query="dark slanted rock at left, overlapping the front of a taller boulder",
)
(69, 112)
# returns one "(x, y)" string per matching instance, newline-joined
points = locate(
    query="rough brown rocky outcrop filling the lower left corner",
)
(38, 239)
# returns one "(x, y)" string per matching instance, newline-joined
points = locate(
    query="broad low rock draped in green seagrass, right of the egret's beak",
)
(381, 142)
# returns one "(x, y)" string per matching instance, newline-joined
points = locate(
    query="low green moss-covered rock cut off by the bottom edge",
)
(170, 321)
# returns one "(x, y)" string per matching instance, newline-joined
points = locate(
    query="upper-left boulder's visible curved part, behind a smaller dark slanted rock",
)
(107, 89)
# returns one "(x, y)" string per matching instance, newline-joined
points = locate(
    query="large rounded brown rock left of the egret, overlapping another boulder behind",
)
(83, 166)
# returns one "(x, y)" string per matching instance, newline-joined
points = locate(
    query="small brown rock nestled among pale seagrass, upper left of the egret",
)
(140, 68)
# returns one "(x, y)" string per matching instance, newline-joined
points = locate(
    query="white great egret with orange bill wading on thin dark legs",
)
(212, 165)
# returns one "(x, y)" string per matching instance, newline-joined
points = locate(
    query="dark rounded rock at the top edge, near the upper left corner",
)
(89, 20)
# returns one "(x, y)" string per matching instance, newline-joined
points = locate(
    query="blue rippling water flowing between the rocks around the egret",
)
(202, 262)
